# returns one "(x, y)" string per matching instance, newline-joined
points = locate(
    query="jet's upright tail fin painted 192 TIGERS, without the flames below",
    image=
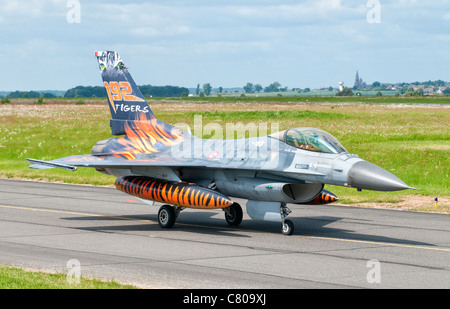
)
(126, 102)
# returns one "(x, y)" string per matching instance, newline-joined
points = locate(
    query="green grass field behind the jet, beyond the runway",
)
(410, 140)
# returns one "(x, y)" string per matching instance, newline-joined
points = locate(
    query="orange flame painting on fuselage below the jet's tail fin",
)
(144, 136)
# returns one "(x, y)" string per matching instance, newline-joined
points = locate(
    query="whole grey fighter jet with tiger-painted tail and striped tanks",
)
(157, 162)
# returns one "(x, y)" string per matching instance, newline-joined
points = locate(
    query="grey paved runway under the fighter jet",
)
(115, 236)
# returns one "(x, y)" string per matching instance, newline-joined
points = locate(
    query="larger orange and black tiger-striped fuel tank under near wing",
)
(175, 193)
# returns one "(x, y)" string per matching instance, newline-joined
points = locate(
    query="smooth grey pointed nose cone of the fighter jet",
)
(365, 175)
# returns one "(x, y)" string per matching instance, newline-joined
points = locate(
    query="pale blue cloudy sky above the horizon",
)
(50, 44)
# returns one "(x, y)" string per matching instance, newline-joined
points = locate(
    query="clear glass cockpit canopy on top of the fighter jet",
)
(310, 139)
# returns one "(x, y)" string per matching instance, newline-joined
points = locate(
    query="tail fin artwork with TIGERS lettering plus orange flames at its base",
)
(131, 115)
